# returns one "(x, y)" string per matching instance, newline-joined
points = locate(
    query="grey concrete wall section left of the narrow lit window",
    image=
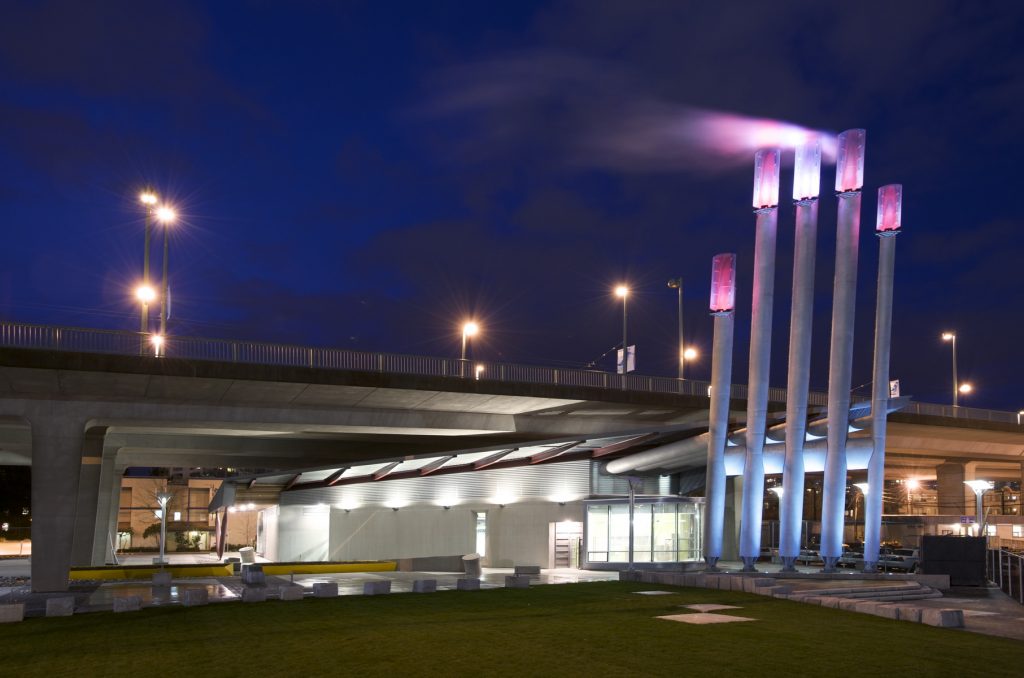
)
(381, 534)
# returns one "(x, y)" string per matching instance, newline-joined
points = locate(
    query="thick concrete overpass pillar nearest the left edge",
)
(57, 455)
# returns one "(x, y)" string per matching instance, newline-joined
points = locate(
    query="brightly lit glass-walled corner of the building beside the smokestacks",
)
(665, 531)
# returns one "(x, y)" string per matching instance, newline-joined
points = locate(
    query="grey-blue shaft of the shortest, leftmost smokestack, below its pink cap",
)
(718, 430)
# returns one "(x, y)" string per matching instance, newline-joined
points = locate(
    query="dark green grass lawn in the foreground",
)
(600, 629)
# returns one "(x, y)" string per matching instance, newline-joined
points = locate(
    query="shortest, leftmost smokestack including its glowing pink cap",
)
(723, 296)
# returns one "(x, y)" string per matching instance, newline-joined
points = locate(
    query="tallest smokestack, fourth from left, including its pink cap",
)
(849, 180)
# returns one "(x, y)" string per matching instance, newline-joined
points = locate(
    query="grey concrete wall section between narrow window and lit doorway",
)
(519, 534)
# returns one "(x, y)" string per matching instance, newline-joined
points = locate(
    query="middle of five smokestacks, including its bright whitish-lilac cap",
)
(806, 184)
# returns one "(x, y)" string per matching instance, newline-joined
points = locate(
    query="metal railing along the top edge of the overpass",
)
(20, 335)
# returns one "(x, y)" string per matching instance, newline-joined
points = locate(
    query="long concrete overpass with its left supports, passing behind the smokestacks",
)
(81, 406)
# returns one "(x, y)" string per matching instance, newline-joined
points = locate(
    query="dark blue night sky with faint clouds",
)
(369, 175)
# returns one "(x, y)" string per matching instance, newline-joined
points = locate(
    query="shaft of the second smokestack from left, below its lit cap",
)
(757, 395)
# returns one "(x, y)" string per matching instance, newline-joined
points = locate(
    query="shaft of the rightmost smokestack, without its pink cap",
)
(880, 401)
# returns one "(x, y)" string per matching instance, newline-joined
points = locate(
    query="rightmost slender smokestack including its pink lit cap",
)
(888, 225)
